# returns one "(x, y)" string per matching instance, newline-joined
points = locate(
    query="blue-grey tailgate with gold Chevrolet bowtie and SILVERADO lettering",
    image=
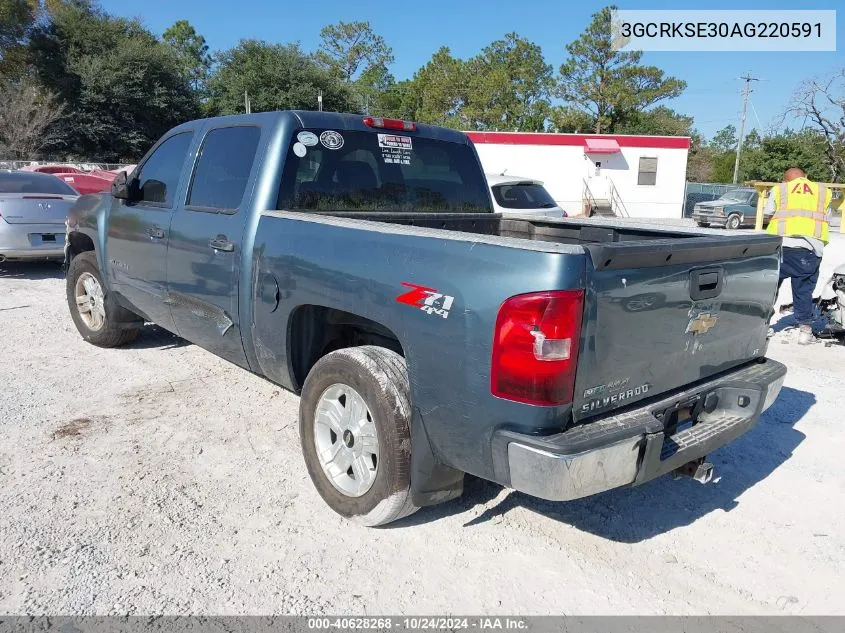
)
(661, 314)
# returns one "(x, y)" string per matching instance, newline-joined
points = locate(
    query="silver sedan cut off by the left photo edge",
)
(33, 209)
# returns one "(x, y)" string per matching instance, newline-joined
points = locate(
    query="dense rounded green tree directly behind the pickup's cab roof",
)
(276, 77)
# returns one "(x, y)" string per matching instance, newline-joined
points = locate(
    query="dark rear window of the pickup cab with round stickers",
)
(329, 170)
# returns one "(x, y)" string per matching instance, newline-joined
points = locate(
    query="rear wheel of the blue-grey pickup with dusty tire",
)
(355, 430)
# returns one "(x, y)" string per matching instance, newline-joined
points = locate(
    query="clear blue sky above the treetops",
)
(417, 30)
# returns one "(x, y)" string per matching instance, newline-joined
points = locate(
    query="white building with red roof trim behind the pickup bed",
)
(636, 176)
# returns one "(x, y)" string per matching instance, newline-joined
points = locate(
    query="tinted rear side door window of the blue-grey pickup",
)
(223, 168)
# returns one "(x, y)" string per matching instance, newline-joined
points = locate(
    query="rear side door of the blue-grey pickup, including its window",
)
(204, 257)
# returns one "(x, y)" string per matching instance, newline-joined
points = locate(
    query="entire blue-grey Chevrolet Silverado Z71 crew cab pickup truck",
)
(357, 261)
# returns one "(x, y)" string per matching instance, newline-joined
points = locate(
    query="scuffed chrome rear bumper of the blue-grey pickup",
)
(633, 447)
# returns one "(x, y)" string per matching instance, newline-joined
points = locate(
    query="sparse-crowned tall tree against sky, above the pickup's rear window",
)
(349, 47)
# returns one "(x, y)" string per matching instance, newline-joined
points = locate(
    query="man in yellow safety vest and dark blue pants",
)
(801, 211)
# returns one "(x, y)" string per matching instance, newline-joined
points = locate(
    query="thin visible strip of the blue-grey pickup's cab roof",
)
(331, 120)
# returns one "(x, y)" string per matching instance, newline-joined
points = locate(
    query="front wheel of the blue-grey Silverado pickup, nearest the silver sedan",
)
(96, 317)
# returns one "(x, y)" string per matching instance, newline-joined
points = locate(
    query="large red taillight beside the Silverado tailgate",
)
(535, 347)
